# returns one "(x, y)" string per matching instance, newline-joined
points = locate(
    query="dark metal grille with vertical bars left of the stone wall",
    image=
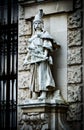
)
(8, 64)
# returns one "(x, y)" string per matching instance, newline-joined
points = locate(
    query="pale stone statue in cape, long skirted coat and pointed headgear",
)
(39, 57)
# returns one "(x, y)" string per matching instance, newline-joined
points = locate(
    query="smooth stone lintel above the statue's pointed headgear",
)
(49, 8)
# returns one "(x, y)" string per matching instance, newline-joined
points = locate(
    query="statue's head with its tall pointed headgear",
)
(38, 21)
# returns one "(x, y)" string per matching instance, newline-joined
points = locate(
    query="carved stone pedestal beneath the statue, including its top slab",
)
(44, 116)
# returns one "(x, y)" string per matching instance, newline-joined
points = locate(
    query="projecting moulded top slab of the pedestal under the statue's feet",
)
(43, 106)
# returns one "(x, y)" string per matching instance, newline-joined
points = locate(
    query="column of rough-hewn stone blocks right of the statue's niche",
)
(75, 66)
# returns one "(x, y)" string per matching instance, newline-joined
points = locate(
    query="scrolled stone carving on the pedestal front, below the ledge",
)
(35, 121)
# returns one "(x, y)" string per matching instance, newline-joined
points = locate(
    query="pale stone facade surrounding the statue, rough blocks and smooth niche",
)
(74, 51)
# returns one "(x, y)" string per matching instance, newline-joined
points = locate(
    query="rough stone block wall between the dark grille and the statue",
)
(23, 71)
